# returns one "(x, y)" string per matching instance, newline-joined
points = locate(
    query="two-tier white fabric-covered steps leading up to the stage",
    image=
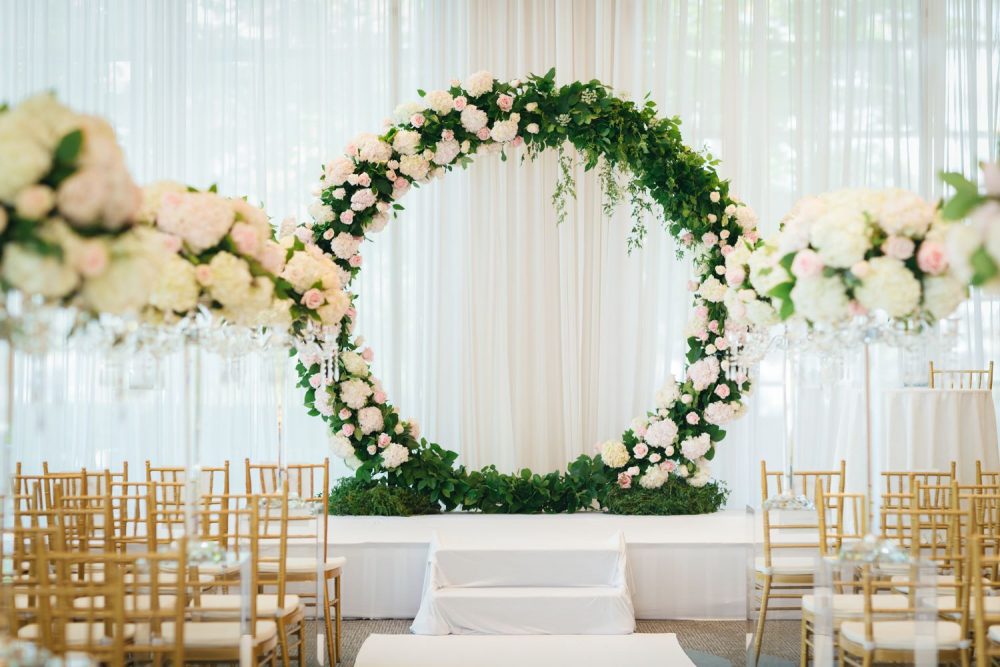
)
(547, 584)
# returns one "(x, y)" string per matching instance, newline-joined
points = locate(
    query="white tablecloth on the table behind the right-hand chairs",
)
(928, 428)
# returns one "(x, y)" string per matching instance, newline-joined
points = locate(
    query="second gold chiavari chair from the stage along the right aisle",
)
(842, 520)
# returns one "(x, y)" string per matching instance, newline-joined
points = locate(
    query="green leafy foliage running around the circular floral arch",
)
(642, 160)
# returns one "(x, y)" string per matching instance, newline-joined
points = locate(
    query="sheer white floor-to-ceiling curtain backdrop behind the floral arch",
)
(513, 340)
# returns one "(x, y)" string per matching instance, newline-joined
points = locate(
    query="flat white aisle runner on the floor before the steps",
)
(637, 650)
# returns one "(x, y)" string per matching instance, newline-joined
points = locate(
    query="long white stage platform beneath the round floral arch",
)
(682, 567)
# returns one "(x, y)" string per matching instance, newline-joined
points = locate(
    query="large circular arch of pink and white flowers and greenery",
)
(642, 160)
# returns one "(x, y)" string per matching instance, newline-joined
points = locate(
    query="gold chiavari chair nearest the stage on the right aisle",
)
(781, 578)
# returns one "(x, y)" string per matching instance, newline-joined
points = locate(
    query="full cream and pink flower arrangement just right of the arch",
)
(850, 253)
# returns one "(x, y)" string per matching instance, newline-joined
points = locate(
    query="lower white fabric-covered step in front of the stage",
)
(535, 610)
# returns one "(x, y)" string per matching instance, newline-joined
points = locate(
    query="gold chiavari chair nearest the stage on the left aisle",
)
(311, 483)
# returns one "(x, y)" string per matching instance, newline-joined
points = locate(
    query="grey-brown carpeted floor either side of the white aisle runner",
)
(708, 643)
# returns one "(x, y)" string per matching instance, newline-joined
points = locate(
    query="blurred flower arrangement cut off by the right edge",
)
(974, 248)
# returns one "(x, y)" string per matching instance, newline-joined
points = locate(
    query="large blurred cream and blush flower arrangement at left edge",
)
(67, 208)
